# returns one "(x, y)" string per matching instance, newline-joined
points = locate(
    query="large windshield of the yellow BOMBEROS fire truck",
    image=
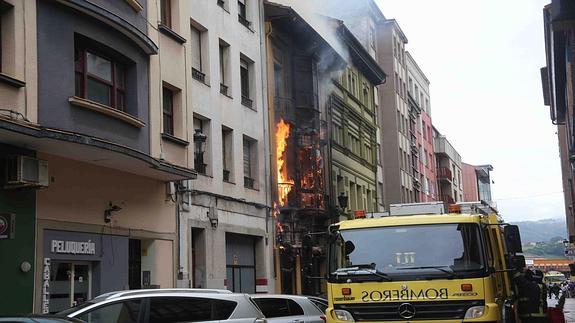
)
(449, 250)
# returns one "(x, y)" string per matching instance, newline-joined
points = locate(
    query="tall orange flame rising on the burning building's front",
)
(285, 184)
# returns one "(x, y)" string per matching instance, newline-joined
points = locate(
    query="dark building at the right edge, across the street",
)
(558, 85)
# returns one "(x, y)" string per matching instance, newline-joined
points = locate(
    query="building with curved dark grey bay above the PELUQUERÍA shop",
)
(84, 183)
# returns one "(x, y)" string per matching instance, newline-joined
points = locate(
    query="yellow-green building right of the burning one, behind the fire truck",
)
(352, 115)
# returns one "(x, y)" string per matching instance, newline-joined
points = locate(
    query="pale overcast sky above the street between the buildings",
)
(483, 59)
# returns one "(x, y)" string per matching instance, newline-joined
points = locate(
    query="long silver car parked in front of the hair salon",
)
(168, 306)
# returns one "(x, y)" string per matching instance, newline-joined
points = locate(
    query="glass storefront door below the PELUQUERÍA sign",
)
(70, 284)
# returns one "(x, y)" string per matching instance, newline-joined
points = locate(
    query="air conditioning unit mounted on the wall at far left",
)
(25, 171)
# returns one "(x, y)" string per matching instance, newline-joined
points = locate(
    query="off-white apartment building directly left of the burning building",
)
(229, 208)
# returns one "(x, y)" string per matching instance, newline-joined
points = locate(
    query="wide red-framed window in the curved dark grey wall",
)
(99, 78)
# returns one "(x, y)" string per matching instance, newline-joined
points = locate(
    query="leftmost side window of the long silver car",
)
(124, 312)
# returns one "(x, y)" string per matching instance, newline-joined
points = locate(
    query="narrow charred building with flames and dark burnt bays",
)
(298, 59)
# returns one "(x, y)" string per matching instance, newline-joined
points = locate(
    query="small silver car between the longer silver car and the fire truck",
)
(289, 309)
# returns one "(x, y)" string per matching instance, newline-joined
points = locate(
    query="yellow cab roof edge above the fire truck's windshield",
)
(388, 221)
